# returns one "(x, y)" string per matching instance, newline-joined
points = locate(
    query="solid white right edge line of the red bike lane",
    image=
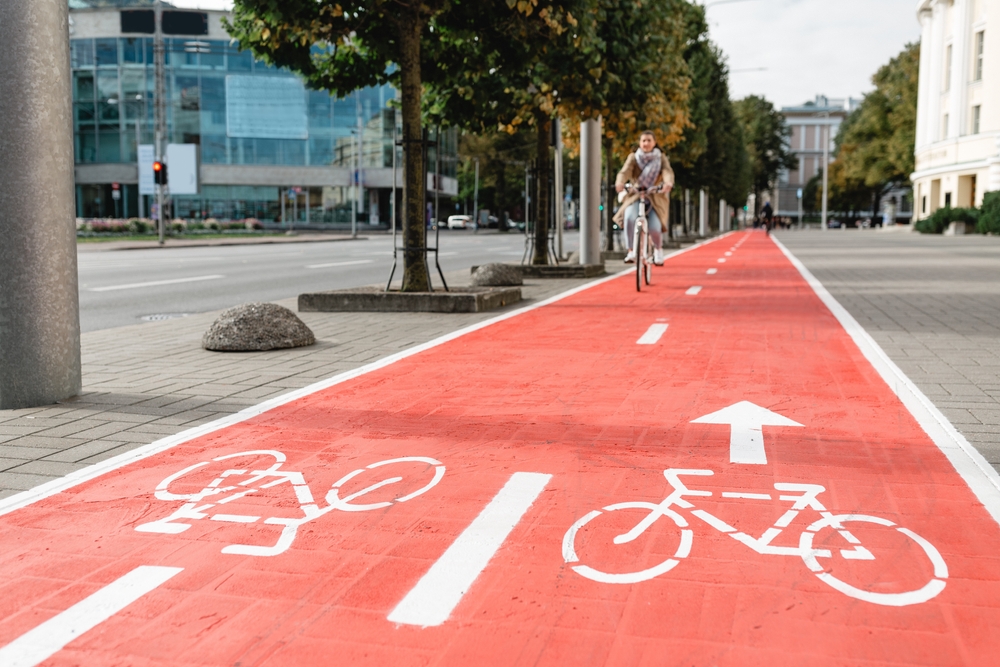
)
(982, 479)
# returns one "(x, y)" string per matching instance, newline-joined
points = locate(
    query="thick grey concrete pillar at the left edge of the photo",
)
(39, 304)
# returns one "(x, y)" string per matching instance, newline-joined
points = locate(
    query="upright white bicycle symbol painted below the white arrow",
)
(802, 496)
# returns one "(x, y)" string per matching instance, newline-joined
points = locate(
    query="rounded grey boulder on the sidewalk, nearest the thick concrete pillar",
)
(254, 327)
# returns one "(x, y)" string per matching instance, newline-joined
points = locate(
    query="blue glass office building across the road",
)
(268, 148)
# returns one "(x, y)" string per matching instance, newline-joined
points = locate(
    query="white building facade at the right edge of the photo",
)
(958, 105)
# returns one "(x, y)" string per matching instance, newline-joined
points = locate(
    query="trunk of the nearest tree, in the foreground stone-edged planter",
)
(415, 275)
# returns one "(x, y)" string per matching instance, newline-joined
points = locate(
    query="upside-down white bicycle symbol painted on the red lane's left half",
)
(222, 493)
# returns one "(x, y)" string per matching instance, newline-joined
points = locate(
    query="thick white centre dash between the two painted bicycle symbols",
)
(439, 591)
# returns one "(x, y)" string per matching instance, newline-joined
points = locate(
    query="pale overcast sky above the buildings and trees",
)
(791, 50)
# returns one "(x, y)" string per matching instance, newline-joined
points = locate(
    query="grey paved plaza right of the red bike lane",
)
(932, 303)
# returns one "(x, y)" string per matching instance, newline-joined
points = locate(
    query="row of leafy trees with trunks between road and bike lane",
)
(512, 67)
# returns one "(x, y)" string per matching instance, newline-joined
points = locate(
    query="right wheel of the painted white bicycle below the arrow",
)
(913, 558)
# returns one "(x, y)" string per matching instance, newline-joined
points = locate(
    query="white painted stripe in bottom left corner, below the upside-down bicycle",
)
(47, 639)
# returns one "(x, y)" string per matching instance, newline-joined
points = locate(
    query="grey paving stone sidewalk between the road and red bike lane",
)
(148, 381)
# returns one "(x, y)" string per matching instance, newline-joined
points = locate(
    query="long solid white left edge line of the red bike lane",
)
(60, 484)
